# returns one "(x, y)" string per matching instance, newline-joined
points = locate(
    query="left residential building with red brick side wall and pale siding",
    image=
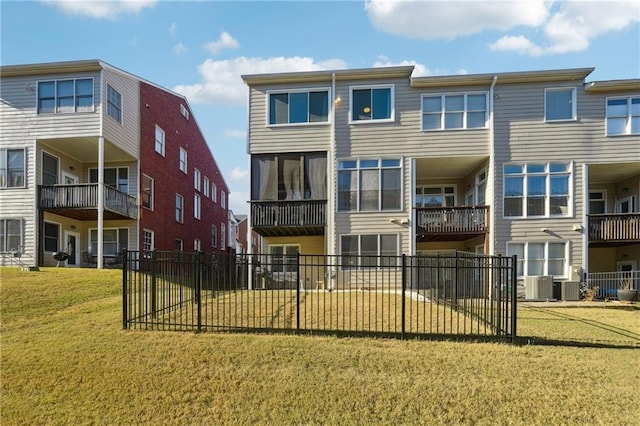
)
(95, 160)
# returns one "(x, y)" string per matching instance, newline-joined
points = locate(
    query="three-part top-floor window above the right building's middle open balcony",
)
(454, 111)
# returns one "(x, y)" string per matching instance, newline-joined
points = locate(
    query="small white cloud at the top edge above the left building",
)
(101, 9)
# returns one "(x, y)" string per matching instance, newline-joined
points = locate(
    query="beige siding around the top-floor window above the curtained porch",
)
(285, 138)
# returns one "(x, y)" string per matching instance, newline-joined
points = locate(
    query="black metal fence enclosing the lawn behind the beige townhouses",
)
(453, 294)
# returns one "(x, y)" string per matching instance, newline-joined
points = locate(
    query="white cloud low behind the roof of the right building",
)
(221, 83)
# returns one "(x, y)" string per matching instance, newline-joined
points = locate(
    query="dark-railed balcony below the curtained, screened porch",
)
(288, 218)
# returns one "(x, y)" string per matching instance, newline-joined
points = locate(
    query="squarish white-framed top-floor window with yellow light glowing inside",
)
(372, 103)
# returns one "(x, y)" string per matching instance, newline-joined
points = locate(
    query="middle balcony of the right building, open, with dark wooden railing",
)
(451, 223)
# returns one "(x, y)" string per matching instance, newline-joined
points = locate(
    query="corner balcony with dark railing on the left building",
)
(81, 202)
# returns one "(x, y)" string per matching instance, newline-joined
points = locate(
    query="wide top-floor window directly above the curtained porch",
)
(299, 107)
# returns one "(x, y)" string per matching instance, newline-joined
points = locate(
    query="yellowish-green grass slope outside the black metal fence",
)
(66, 360)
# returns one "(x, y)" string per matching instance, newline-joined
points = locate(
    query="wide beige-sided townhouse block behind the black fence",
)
(538, 164)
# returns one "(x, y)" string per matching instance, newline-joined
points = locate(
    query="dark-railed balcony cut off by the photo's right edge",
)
(614, 229)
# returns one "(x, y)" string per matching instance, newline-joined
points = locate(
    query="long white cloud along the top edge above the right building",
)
(433, 20)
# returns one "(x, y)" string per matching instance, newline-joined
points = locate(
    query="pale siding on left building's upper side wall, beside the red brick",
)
(125, 135)
